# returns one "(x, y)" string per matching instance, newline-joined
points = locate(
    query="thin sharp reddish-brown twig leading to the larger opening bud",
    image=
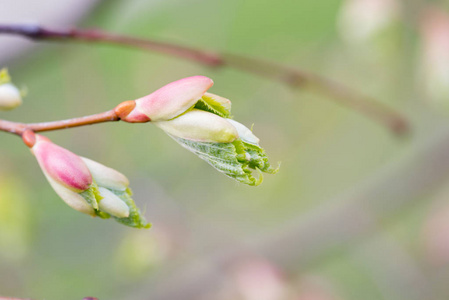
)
(19, 128)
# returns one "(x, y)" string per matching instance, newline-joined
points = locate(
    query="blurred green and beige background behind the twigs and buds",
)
(354, 213)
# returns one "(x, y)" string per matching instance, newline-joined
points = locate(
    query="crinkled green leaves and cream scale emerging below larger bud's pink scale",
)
(227, 145)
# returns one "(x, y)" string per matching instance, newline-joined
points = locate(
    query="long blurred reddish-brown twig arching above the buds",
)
(371, 108)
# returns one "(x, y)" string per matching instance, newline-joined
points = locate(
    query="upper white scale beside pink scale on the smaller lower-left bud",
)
(105, 176)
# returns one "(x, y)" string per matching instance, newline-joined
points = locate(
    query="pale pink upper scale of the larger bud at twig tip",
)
(170, 101)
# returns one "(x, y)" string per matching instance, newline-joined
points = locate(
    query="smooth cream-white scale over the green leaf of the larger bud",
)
(202, 126)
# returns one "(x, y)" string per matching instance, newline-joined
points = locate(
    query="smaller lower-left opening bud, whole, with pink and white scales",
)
(85, 185)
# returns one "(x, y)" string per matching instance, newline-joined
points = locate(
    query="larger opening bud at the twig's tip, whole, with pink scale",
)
(200, 121)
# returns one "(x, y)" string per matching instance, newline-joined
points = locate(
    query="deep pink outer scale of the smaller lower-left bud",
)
(61, 165)
